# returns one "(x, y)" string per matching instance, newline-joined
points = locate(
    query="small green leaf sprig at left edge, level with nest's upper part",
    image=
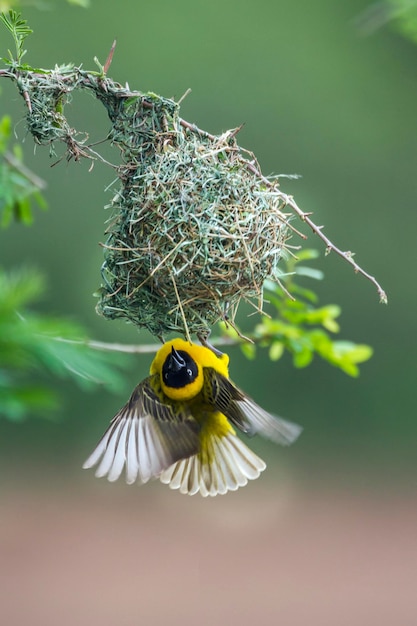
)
(19, 187)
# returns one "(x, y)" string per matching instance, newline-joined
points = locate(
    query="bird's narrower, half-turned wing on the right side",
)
(245, 414)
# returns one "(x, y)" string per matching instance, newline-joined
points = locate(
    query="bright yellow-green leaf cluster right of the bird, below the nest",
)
(300, 327)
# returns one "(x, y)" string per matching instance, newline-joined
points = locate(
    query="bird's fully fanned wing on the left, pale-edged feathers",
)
(146, 436)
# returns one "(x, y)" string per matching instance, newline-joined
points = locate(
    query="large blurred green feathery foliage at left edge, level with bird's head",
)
(34, 347)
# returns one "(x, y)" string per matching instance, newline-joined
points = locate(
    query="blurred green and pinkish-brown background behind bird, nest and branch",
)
(327, 536)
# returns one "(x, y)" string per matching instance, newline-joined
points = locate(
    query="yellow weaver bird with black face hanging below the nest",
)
(178, 426)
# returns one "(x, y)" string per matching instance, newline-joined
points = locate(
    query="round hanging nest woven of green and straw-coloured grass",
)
(194, 230)
